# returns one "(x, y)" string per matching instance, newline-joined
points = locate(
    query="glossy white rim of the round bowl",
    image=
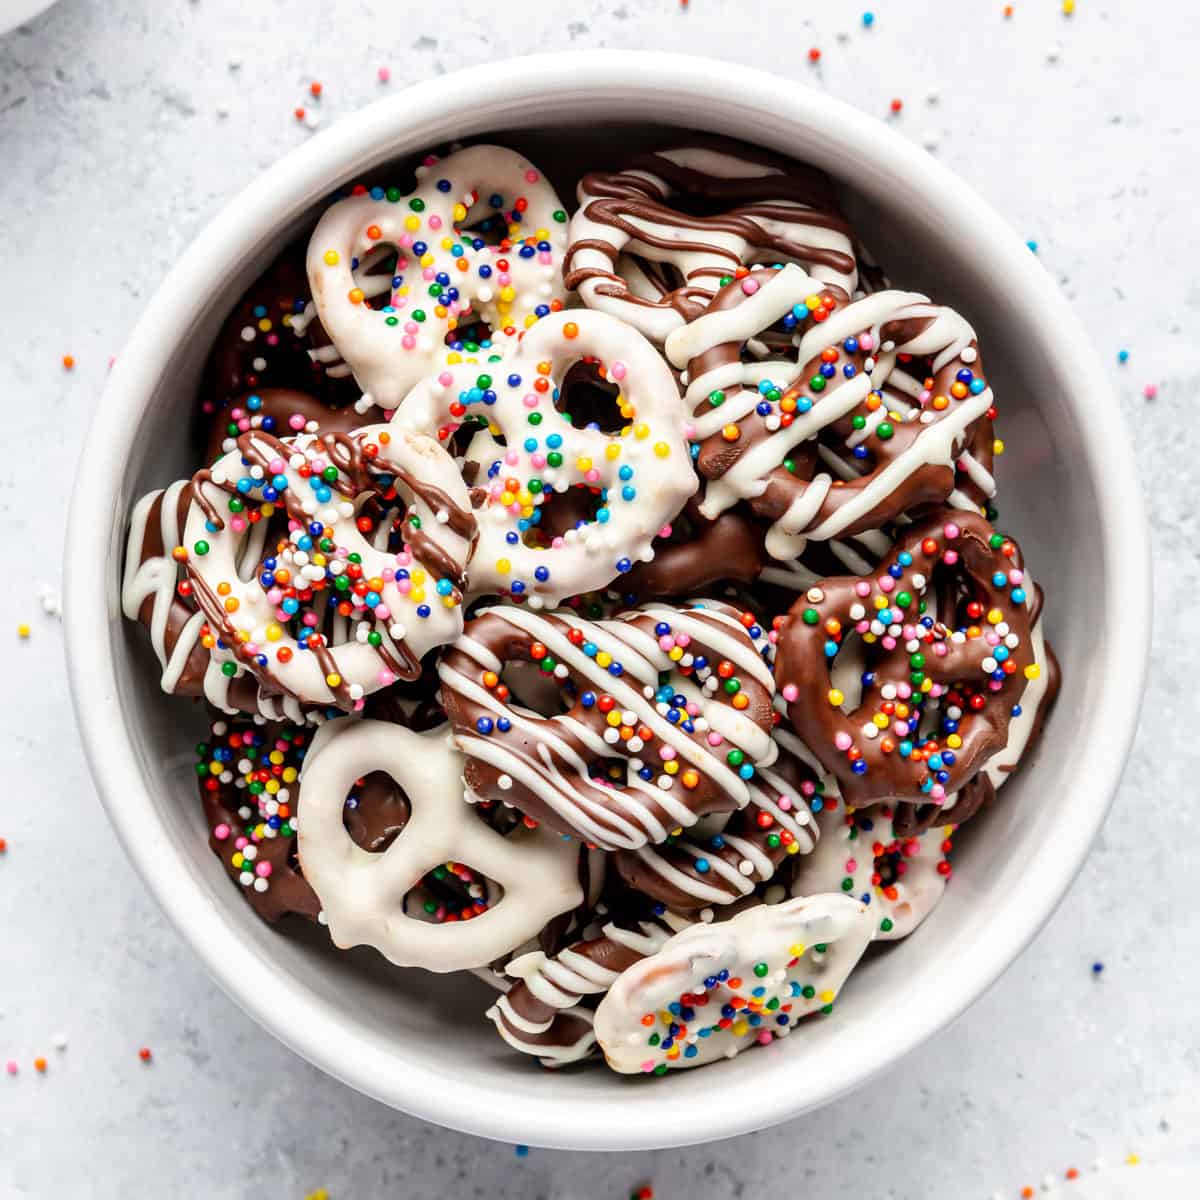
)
(244, 975)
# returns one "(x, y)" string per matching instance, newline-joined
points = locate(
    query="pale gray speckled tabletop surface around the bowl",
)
(116, 152)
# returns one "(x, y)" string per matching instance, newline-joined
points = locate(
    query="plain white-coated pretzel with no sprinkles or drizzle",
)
(363, 895)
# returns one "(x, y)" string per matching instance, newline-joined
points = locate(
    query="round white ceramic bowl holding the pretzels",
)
(1069, 489)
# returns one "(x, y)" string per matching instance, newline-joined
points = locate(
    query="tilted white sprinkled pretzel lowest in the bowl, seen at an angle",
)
(770, 949)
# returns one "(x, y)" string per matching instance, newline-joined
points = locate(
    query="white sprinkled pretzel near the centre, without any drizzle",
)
(644, 471)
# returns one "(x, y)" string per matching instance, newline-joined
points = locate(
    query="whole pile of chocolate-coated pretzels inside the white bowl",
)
(610, 605)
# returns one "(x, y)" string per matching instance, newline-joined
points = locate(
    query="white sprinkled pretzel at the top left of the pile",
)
(392, 350)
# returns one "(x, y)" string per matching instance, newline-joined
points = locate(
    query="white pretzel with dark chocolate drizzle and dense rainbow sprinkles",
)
(403, 604)
